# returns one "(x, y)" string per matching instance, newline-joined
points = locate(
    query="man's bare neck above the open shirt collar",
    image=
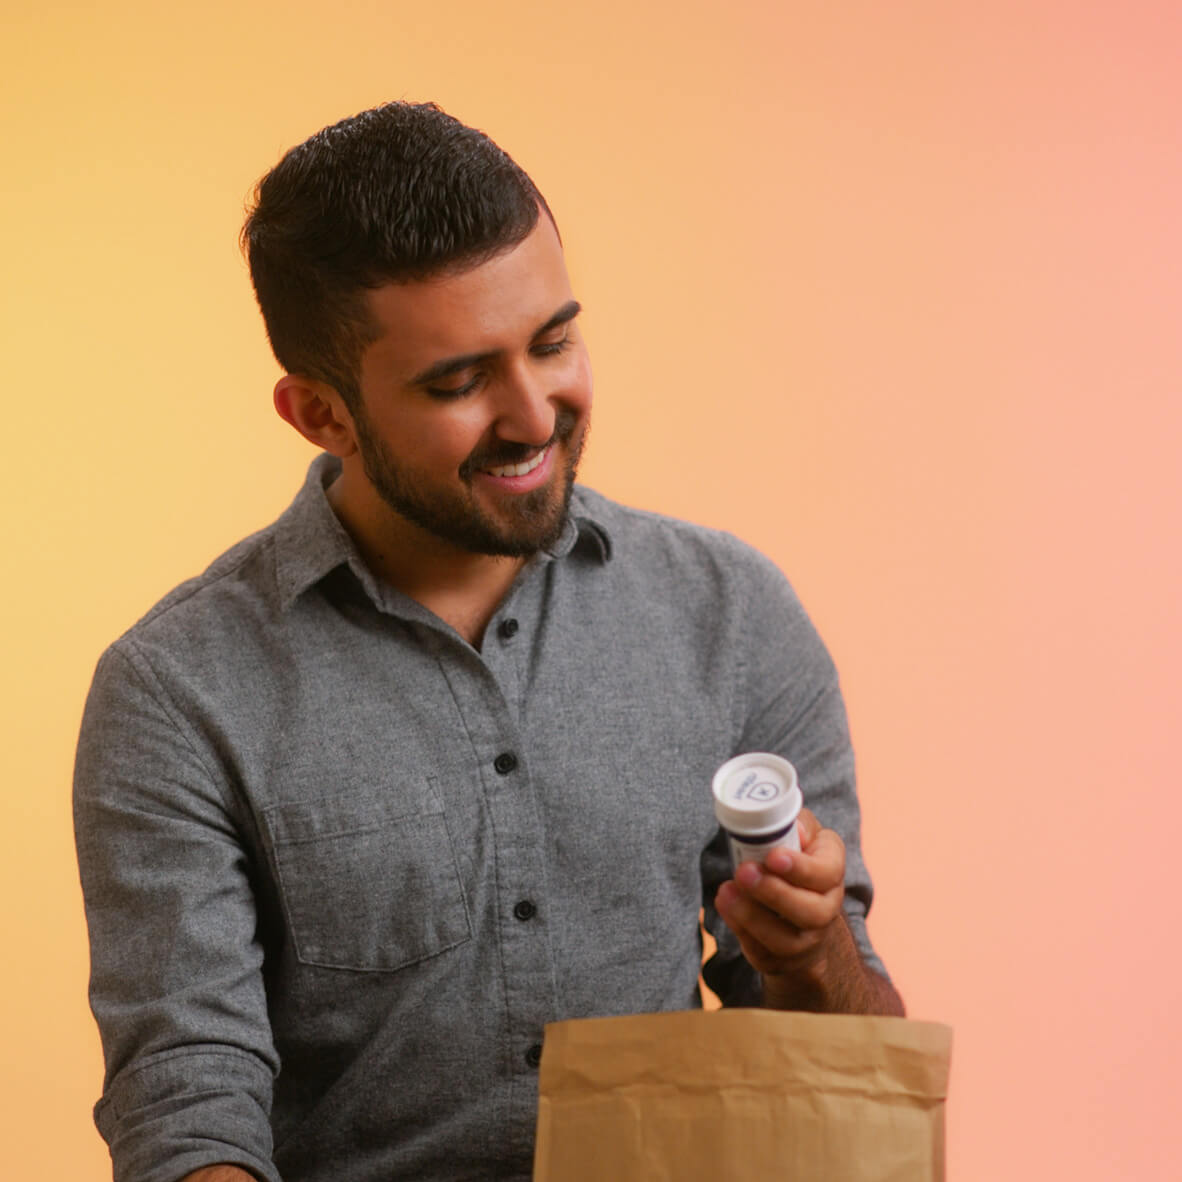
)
(464, 589)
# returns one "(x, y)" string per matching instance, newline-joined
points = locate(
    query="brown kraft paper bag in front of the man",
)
(743, 1094)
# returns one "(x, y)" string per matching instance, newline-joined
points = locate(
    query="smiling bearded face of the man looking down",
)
(477, 399)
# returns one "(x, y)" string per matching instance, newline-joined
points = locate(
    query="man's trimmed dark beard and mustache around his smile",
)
(529, 522)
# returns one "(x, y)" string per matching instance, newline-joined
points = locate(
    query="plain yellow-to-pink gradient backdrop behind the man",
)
(893, 291)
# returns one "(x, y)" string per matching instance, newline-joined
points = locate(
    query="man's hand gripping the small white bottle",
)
(788, 911)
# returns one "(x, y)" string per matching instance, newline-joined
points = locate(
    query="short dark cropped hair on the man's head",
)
(399, 193)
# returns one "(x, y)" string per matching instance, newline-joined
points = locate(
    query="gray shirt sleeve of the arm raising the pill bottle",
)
(789, 702)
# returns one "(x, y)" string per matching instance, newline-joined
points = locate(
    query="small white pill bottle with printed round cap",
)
(757, 801)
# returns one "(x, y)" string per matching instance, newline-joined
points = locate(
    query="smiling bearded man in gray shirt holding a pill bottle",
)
(426, 764)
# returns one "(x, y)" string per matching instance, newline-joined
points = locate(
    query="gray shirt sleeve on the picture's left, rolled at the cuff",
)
(177, 983)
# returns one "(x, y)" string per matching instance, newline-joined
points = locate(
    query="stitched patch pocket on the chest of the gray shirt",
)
(369, 881)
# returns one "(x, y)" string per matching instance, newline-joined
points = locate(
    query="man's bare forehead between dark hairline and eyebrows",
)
(496, 306)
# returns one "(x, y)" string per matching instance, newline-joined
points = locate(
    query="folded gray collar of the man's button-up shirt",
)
(311, 542)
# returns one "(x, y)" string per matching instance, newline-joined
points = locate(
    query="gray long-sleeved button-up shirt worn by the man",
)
(341, 868)
